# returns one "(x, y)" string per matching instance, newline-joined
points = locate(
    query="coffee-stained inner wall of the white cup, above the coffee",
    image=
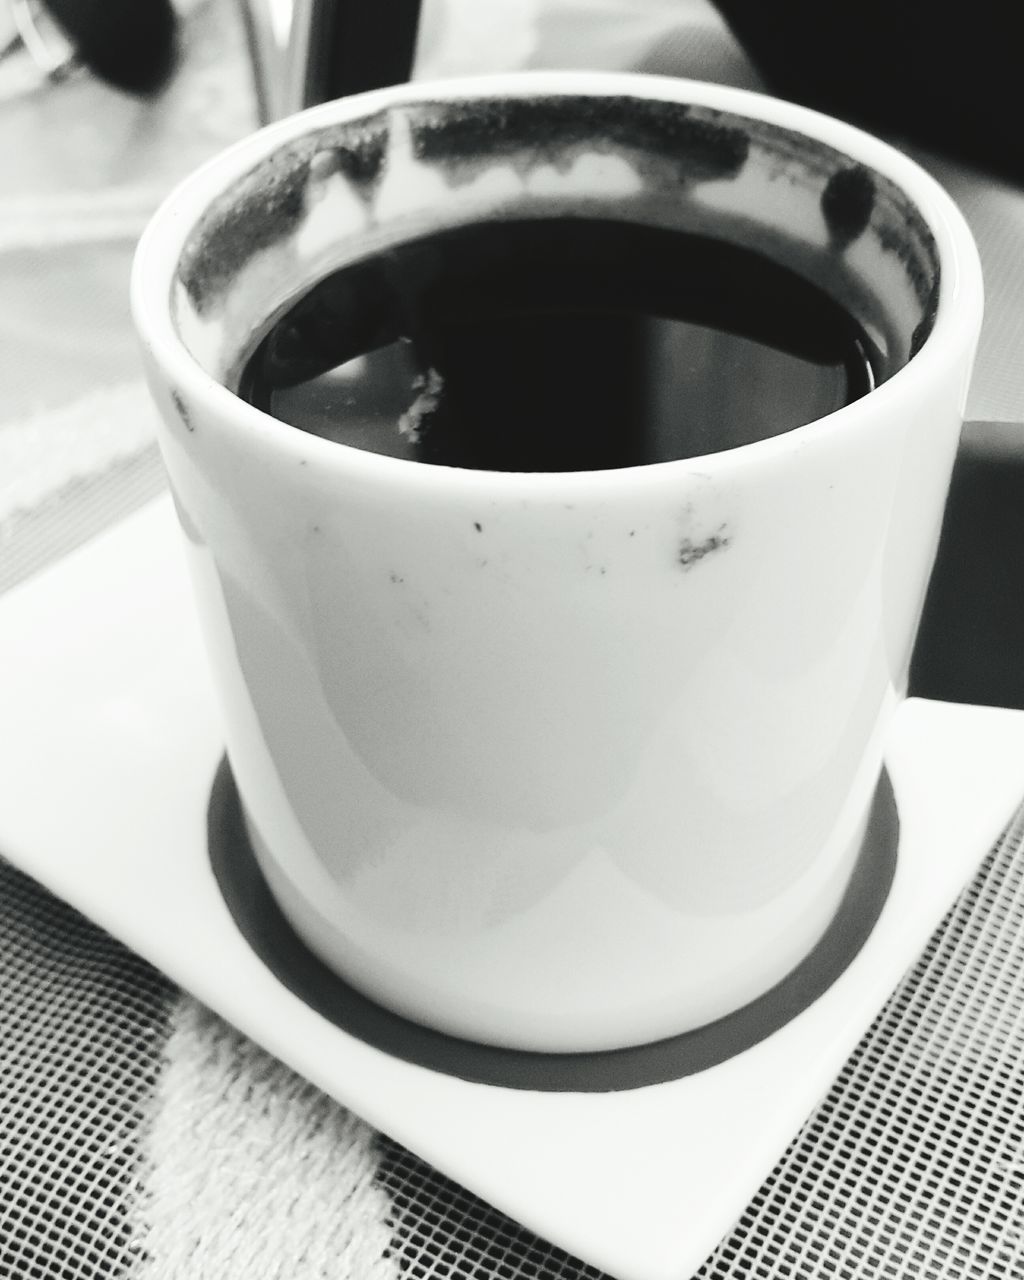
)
(345, 191)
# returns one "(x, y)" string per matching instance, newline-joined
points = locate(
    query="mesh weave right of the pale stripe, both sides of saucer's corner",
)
(913, 1165)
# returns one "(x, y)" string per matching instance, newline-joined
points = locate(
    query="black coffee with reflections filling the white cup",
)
(560, 345)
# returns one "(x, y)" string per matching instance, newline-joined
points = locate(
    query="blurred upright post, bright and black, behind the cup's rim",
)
(308, 52)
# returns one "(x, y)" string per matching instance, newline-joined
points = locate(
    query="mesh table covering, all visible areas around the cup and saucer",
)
(143, 1136)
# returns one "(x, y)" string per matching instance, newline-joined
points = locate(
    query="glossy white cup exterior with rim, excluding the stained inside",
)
(563, 762)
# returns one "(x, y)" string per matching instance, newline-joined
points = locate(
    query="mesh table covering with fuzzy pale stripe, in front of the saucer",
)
(913, 1165)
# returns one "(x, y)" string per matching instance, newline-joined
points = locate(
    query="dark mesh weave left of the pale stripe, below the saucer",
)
(81, 1030)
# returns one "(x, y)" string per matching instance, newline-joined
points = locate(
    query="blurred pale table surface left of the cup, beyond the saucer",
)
(84, 166)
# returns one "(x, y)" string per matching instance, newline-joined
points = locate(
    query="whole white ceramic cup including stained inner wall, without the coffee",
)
(577, 761)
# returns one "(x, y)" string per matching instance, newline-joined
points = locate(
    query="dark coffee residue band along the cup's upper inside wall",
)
(674, 147)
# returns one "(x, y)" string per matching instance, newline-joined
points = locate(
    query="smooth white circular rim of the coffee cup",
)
(957, 323)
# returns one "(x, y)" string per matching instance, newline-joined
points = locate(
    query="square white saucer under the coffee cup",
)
(109, 743)
